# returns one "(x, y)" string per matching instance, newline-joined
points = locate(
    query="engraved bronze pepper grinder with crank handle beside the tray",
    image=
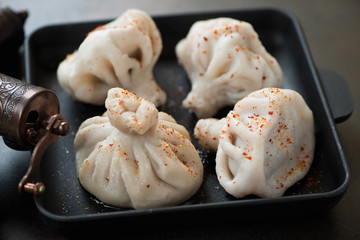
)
(29, 119)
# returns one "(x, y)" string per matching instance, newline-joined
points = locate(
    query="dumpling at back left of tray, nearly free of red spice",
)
(122, 54)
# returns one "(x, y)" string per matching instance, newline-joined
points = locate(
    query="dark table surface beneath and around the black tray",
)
(332, 32)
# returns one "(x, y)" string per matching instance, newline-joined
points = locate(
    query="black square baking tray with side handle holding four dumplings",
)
(66, 201)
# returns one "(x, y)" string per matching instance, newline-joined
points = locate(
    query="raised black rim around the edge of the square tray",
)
(339, 191)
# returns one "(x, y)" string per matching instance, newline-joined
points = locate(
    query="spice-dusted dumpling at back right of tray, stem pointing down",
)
(224, 60)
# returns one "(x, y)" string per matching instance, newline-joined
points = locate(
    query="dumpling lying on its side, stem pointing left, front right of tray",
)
(265, 144)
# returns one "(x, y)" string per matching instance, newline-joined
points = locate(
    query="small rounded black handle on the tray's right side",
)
(338, 95)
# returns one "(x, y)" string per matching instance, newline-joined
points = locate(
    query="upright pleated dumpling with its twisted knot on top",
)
(136, 157)
